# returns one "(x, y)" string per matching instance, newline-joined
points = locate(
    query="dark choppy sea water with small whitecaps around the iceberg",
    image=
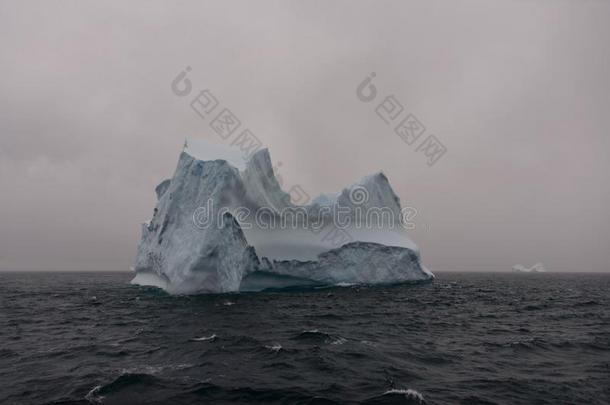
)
(468, 338)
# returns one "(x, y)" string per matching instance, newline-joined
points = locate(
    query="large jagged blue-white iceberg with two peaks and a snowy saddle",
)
(222, 223)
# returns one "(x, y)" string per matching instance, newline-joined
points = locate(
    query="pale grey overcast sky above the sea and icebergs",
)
(517, 91)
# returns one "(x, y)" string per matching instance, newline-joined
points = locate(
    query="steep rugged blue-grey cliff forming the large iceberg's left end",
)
(174, 254)
